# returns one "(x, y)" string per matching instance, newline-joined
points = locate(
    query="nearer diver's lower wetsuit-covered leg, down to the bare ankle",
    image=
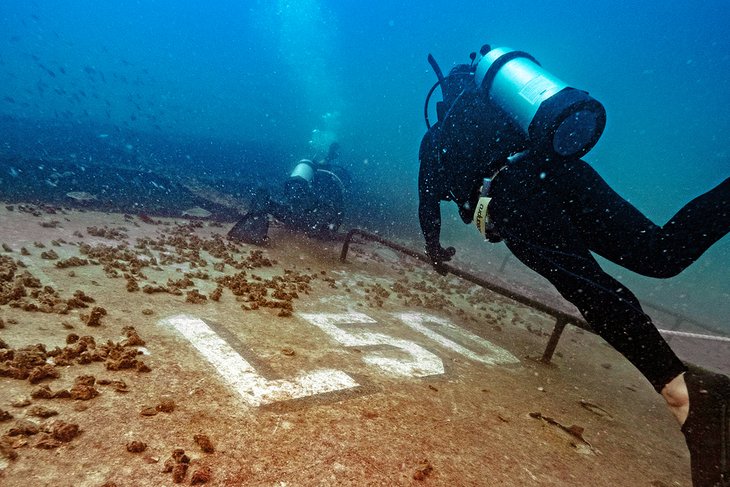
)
(544, 238)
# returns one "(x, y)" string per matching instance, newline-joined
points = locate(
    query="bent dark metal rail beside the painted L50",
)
(562, 319)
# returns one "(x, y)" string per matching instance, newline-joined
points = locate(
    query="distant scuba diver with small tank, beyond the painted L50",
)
(313, 203)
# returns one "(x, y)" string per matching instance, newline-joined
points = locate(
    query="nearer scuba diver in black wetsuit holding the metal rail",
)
(507, 150)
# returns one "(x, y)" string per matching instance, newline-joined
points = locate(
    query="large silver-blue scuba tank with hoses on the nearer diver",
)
(548, 114)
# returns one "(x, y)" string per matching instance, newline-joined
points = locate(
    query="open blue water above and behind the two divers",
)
(286, 78)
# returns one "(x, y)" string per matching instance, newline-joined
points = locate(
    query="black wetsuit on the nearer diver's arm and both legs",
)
(553, 213)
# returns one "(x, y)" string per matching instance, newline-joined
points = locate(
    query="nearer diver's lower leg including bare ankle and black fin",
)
(544, 237)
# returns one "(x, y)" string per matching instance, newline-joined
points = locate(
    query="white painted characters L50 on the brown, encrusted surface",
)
(395, 356)
